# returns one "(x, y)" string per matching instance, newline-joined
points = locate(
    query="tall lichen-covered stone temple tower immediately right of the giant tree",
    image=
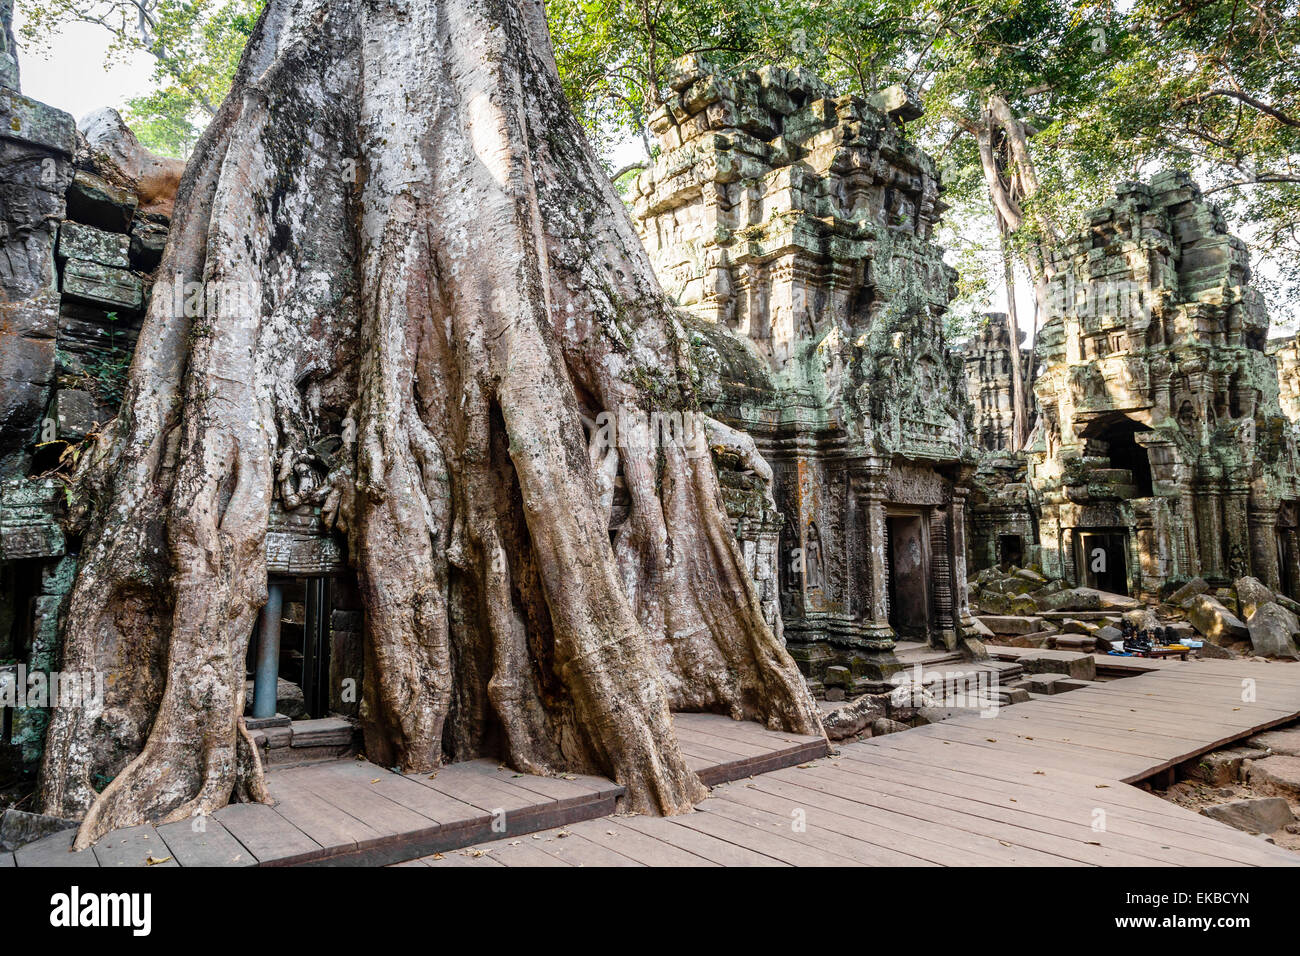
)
(798, 227)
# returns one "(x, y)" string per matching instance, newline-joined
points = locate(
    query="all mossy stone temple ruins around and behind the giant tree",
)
(864, 462)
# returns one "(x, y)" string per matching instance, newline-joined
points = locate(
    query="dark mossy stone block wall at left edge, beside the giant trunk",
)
(75, 274)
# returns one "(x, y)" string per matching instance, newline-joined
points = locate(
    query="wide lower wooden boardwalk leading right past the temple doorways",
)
(1041, 784)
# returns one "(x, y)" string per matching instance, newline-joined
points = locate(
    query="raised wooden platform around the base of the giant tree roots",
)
(352, 812)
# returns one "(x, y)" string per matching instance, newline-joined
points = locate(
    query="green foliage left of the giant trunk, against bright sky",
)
(196, 46)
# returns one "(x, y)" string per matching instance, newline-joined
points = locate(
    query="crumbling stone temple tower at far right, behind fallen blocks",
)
(1162, 453)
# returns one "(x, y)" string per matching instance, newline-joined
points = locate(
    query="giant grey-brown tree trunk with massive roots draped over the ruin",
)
(437, 282)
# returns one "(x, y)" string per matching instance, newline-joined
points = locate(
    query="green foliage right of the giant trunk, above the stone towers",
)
(1108, 90)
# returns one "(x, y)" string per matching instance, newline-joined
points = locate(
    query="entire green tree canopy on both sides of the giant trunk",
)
(1065, 97)
